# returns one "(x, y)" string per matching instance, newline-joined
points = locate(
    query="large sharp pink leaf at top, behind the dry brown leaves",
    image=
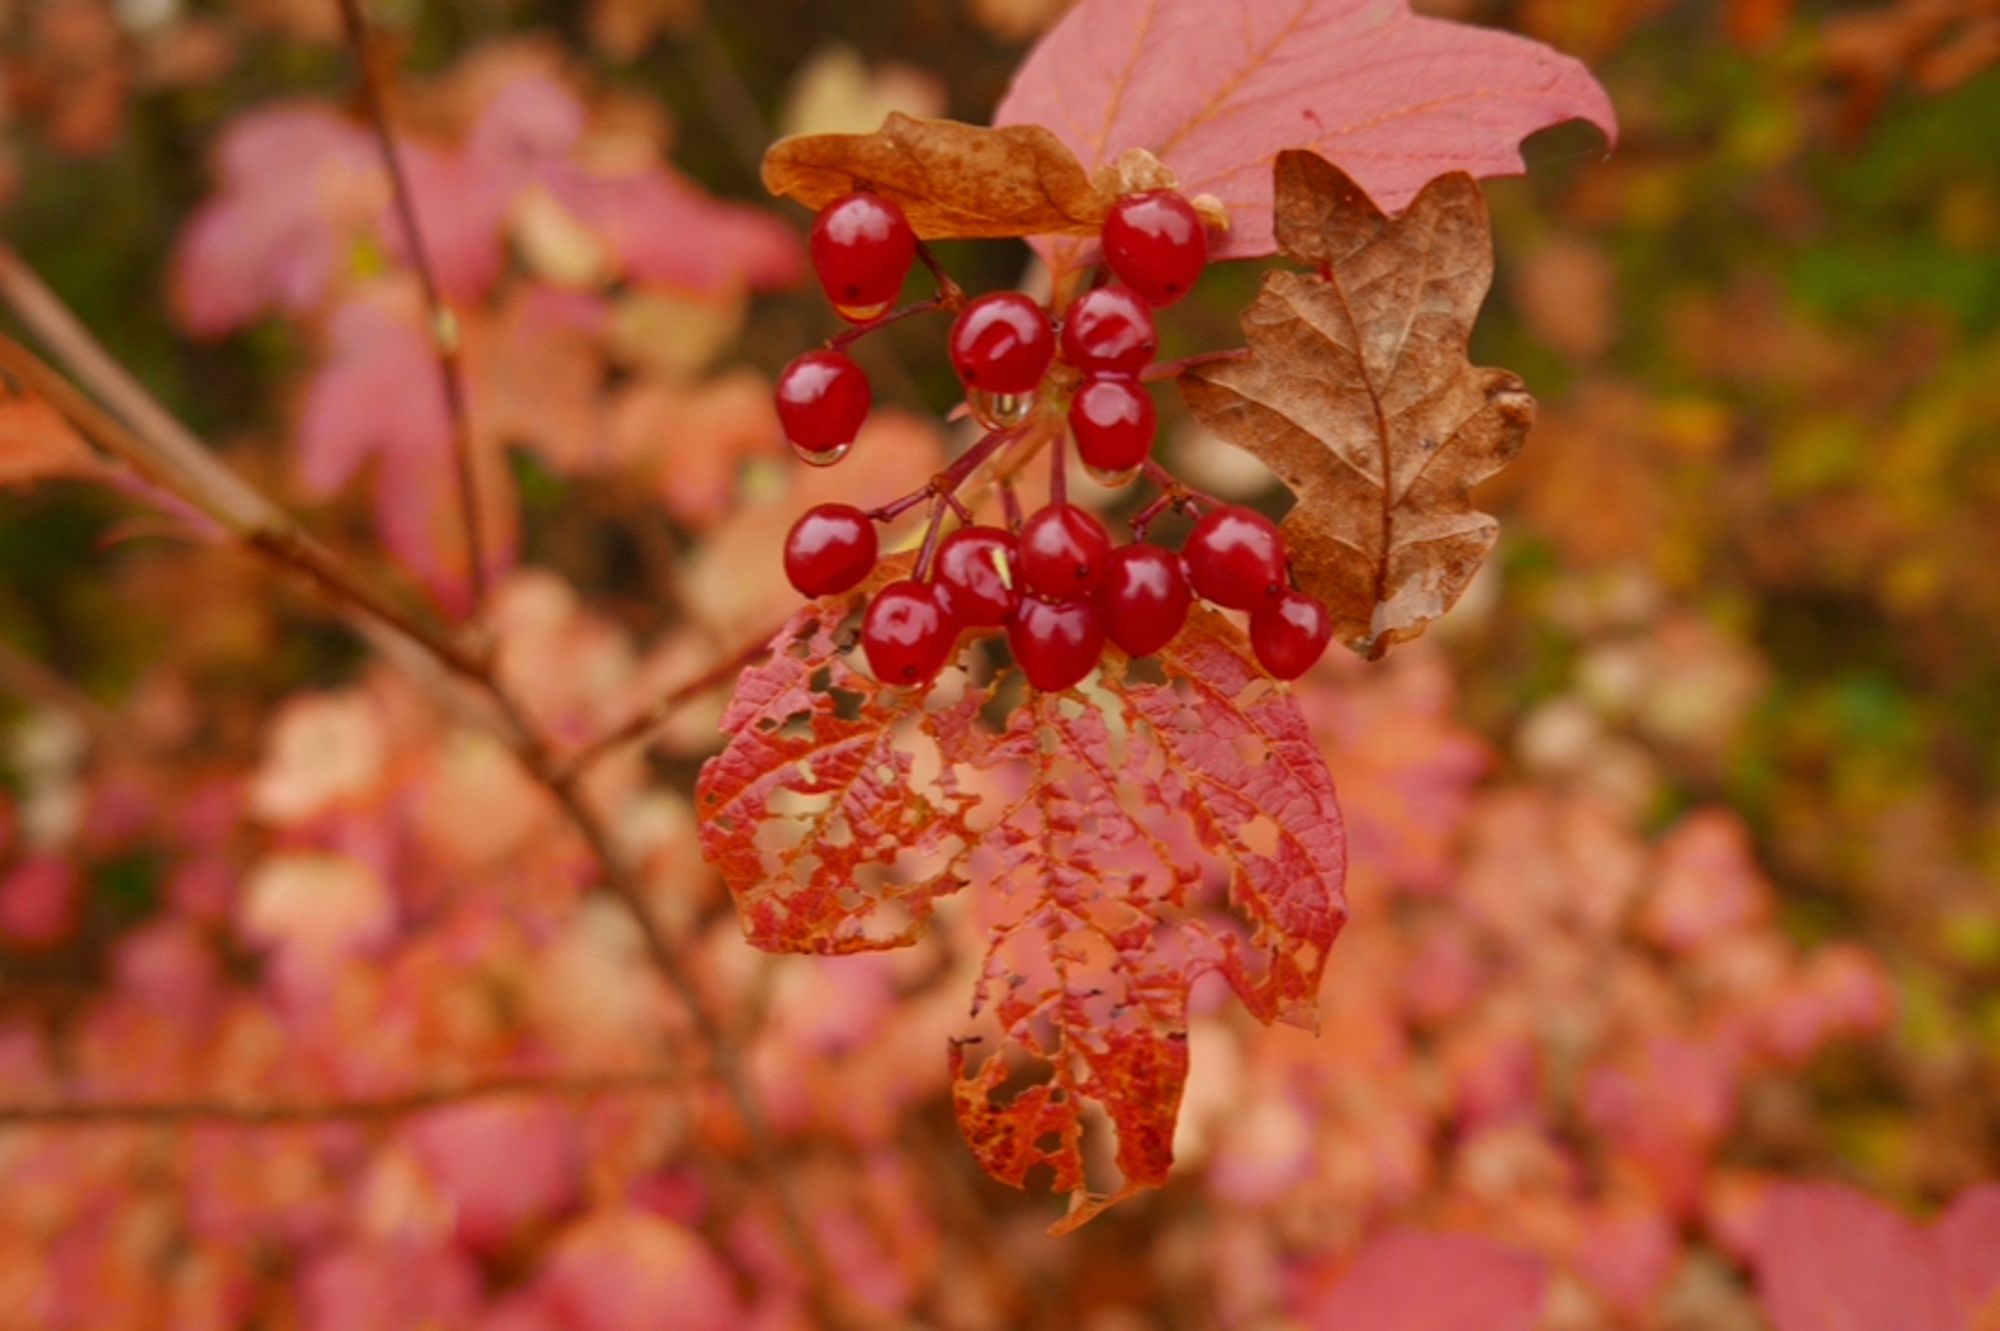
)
(1219, 91)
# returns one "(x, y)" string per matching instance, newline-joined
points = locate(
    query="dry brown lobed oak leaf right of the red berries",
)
(1359, 395)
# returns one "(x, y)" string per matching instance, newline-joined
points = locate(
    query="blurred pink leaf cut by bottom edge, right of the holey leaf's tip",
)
(1433, 1282)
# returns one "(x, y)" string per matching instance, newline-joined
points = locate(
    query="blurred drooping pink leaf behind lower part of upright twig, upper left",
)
(377, 399)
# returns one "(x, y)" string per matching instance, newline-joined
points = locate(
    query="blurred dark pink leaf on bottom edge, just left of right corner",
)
(1835, 1260)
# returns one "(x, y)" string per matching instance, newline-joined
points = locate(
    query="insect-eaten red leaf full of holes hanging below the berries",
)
(1119, 844)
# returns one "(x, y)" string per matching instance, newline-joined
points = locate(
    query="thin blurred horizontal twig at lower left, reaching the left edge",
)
(175, 1112)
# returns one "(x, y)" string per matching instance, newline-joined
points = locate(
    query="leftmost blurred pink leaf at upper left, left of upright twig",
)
(299, 185)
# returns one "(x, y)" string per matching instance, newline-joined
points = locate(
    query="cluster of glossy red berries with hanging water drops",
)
(1055, 581)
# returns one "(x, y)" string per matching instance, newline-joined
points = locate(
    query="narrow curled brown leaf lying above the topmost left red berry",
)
(953, 181)
